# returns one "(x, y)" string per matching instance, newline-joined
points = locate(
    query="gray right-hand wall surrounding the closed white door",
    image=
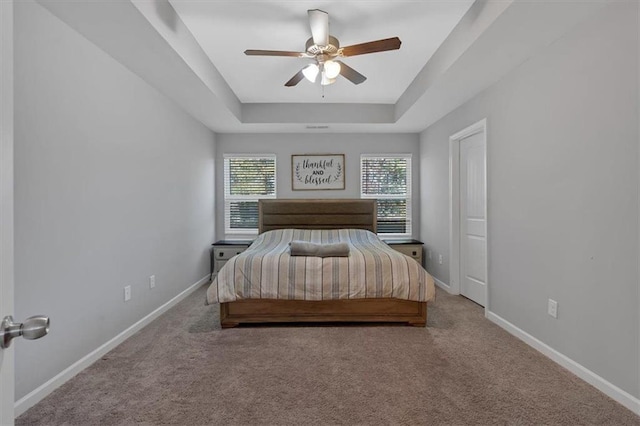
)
(562, 153)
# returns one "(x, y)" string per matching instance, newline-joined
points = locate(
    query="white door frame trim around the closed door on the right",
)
(454, 207)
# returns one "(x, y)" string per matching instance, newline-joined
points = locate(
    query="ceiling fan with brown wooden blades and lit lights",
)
(324, 49)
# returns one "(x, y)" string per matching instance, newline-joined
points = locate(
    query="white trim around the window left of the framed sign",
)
(244, 232)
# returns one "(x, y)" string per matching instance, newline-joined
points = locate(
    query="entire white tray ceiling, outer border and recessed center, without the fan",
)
(192, 52)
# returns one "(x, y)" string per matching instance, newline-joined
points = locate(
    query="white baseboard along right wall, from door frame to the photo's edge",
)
(609, 389)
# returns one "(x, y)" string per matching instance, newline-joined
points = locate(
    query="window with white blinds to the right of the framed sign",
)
(387, 178)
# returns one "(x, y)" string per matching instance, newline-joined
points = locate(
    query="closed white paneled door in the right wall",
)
(473, 248)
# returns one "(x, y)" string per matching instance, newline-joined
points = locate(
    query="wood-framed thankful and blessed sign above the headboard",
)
(317, 172)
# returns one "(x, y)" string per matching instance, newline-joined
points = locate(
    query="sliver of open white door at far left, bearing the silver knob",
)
(7, 382)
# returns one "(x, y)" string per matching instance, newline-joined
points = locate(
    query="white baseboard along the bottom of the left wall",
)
(35, 396)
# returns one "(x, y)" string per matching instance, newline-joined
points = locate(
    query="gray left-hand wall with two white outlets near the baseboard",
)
(113, 183)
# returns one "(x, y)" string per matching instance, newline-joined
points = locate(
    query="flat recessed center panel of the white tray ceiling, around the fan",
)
(225, 29)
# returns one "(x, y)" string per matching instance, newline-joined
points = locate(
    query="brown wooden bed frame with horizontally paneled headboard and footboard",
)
(320, 214)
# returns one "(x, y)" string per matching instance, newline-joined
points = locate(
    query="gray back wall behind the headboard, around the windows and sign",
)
(286, 144)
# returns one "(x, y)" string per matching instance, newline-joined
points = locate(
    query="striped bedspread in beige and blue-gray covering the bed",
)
(266, 270)
